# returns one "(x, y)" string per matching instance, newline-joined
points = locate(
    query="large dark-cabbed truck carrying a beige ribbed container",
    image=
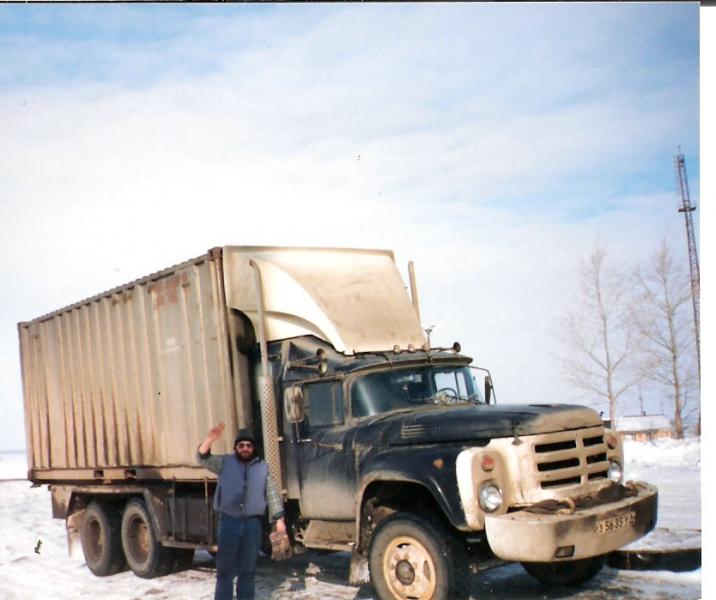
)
(383, 446)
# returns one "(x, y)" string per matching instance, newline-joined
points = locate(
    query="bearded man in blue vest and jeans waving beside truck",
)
(243, 491)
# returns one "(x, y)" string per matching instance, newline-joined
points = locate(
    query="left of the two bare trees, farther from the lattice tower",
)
(597, 331)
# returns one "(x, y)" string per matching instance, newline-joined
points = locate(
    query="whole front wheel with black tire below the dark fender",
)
(411, 557)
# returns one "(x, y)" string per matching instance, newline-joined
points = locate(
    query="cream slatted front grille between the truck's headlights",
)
(578, 458)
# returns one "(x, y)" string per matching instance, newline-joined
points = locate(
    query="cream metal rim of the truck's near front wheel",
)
(409, 570)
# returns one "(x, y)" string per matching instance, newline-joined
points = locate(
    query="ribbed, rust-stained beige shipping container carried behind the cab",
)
(127, 383)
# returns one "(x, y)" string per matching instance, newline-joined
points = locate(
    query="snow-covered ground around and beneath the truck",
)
(34, 561)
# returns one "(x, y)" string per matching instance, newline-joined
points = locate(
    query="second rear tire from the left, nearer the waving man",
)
(145, 555)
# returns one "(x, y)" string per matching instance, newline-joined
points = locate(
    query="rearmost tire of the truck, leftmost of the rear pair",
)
(101, 540)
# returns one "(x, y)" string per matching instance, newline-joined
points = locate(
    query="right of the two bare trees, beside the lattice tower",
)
(663, 323)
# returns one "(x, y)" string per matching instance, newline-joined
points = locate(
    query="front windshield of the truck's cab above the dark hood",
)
(383, 391)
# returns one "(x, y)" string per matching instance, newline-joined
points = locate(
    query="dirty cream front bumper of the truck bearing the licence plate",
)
(531, 537)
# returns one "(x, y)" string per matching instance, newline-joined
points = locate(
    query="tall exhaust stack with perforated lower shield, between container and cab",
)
(267, 396)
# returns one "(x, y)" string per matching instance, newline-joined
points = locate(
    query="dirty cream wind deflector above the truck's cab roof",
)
(353, 299)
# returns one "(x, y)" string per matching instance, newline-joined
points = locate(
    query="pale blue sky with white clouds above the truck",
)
(492, 144)
